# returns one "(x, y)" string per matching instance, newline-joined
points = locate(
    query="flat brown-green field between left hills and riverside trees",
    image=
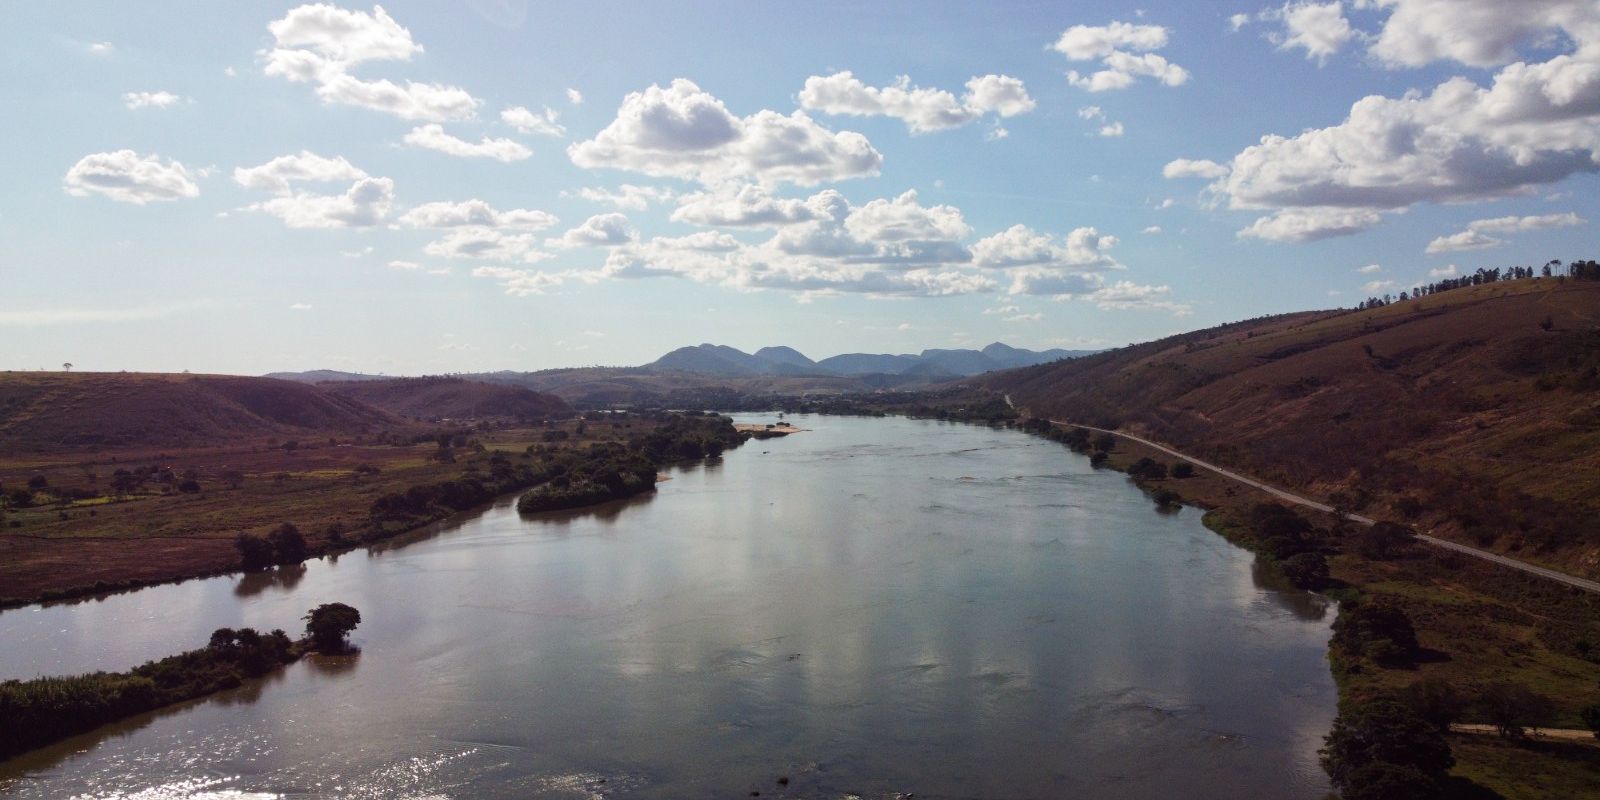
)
(158, 532)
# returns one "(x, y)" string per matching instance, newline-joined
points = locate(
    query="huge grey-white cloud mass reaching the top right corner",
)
(1532, 126)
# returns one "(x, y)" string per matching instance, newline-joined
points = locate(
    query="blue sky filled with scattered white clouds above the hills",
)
(497, 185)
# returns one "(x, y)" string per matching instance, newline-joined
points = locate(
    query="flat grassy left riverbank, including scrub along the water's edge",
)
(340, 497)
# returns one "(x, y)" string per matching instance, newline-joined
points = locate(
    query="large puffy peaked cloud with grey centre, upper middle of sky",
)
(684, 132)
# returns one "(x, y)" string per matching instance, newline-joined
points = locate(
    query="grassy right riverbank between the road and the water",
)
(1478, 626)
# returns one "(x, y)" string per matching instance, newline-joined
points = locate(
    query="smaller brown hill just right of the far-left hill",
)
(452, 399)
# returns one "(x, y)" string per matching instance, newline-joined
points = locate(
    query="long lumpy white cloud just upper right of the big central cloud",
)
(922, 110)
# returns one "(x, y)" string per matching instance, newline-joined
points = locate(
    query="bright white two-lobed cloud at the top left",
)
(322, 44)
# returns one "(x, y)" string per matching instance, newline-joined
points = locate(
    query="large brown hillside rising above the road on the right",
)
(1474, 412)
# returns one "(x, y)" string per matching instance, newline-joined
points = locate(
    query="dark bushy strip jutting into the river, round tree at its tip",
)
(49, 710)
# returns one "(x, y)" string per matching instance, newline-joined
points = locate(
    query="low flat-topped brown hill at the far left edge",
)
(42, 412)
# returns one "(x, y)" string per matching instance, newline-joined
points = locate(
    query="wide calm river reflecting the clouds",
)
(865, 609)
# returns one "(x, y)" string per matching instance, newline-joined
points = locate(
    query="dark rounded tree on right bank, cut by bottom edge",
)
(1385, 751)
